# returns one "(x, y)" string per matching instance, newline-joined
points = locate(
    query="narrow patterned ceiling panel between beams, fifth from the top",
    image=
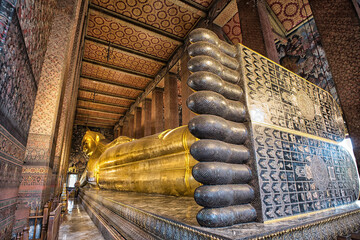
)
(109, 88)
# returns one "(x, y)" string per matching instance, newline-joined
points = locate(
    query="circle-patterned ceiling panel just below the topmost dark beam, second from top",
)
(128, 35)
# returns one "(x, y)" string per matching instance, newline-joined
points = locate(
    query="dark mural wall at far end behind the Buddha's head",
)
(77, 157)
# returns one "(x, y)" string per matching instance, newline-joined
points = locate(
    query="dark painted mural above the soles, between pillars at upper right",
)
(301, 52)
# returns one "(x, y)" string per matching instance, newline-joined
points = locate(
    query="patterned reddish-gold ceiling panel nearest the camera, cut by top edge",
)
(161, 14)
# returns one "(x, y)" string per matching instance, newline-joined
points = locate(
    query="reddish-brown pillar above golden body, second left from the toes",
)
(171, 101)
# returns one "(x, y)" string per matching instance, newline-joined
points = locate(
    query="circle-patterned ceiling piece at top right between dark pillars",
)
(291, 12)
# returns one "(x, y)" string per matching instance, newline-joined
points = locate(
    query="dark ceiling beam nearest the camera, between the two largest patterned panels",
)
(135, 22)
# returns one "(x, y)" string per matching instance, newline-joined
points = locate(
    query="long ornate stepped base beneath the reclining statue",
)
(132, 215)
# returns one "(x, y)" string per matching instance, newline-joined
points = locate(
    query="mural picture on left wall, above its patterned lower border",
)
(17, 85)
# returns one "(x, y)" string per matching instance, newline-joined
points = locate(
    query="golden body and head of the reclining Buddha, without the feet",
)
(153, 164)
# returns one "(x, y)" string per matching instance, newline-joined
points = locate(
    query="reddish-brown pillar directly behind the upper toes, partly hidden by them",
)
(185, 90)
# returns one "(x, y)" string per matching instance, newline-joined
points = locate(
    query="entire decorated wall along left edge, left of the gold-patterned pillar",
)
(22, 48)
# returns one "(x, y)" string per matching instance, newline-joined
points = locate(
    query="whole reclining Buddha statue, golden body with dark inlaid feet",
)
(266, 143)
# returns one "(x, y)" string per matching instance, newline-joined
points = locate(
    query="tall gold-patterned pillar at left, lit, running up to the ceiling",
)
(37, 172)
